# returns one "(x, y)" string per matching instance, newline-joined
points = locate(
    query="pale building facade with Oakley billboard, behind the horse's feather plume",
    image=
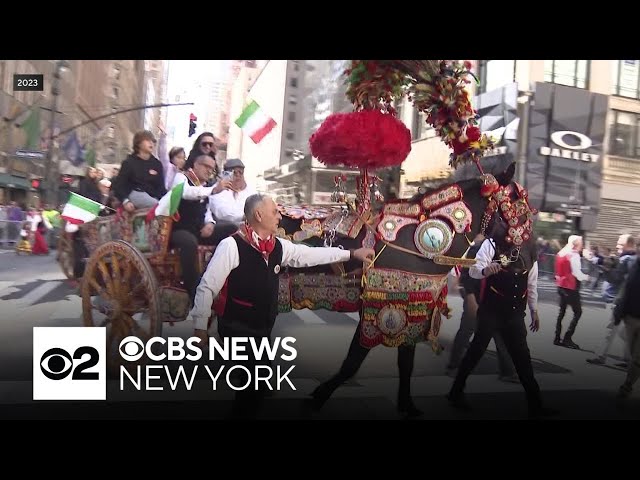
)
(572, 89)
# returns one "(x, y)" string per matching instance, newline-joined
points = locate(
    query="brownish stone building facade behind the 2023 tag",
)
(82, 92)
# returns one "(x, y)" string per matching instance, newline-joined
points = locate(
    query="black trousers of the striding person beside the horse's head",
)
(512, 327)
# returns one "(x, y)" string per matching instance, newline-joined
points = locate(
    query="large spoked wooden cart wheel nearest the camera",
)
(120, 292)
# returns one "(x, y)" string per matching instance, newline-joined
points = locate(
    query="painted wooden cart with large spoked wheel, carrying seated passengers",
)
(131, 282)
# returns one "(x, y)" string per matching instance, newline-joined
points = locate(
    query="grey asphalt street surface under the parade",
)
(34, 292)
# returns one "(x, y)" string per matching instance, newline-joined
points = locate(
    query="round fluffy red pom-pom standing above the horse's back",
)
(364, 139)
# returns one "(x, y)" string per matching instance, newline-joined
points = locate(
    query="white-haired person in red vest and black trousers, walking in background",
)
(568, 278)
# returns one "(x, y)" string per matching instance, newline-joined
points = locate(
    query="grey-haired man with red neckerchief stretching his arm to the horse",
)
(246, 267)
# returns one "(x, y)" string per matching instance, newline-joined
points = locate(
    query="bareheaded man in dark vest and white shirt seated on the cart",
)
(196, 224)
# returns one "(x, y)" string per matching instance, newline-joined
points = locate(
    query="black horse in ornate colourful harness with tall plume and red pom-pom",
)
(402, 295)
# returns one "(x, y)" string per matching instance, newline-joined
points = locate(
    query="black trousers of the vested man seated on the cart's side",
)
(187, 243)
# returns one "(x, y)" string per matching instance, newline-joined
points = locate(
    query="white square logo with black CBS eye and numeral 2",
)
(69, 363)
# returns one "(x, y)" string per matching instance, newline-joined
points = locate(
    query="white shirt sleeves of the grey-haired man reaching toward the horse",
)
(226, 258)
